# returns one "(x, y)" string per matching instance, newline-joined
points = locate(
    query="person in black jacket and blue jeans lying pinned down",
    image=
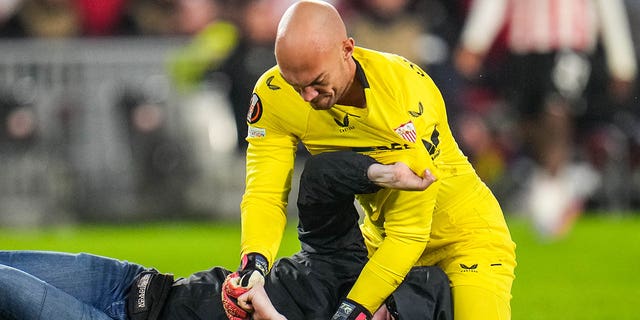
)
(308, 285)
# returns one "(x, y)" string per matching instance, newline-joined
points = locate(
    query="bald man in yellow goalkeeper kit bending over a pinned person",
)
(331, 95)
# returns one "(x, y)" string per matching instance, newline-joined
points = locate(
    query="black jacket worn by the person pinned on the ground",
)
(311, 283)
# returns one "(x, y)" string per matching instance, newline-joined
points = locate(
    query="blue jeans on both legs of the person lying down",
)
(52, 285)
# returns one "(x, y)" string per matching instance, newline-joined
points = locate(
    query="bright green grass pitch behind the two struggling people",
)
(593, 273)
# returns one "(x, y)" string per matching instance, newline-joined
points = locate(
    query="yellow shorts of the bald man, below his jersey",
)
(470, 241)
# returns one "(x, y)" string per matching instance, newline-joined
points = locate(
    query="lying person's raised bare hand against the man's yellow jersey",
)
(399, 176)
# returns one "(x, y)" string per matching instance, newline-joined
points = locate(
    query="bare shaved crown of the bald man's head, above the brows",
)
(309, 27)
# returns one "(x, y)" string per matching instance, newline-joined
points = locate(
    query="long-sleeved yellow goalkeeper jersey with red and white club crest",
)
(404, 120)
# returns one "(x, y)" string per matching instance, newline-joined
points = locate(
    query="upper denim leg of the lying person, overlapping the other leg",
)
(99, 282)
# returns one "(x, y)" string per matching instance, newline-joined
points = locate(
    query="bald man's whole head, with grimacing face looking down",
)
(314, 53)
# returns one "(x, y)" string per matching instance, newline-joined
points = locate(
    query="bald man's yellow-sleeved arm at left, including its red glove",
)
(269, 167)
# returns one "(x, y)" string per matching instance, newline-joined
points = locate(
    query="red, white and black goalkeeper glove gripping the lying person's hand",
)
(251, 272)
